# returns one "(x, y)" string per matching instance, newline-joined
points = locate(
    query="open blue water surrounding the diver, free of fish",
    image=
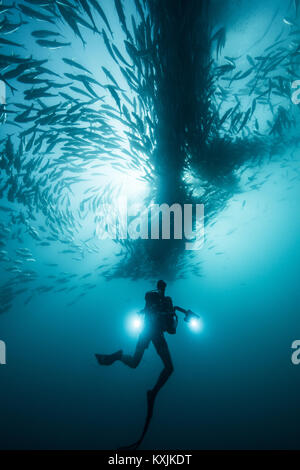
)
(234, 384)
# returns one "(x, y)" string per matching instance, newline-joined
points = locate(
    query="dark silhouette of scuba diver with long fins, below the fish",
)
(160, 317)
